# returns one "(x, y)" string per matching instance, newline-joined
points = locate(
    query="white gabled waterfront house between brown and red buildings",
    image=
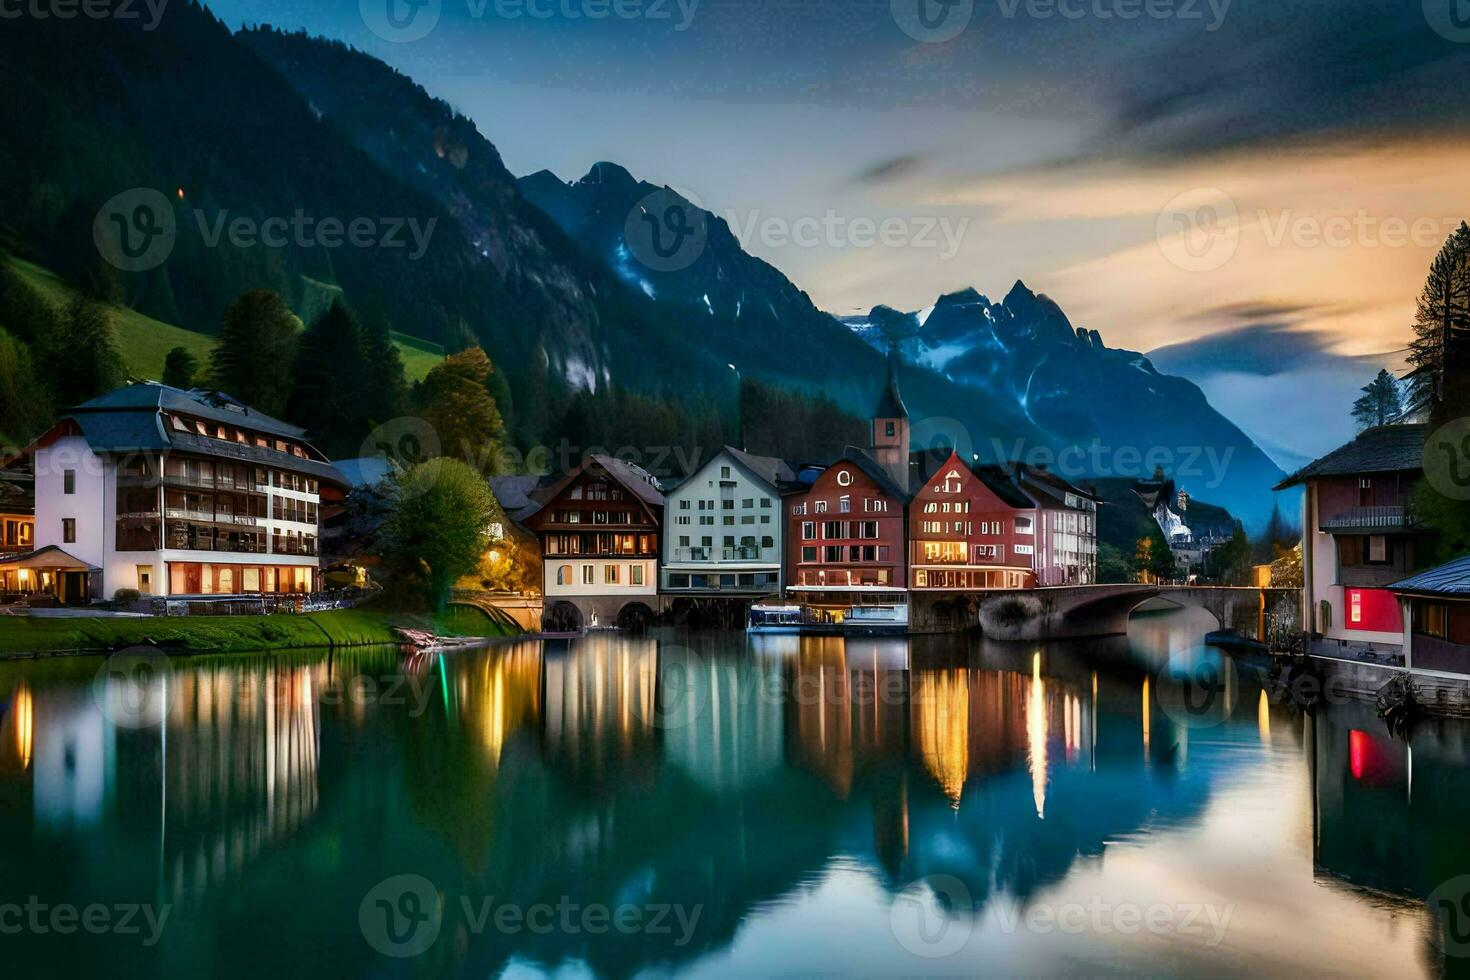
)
(724, 531)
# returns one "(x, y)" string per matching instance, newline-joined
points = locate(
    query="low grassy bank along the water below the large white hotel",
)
(24, 637)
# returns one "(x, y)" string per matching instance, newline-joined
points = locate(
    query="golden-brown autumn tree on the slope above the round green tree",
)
(456, 402)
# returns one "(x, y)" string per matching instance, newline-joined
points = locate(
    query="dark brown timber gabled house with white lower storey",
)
(599, 530)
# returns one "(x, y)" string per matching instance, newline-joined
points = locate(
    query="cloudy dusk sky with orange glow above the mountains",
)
(1253, 189)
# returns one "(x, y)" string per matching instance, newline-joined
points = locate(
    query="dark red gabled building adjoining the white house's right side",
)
(846, 538)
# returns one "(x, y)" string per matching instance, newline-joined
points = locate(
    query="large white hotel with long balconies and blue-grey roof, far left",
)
(171, 493)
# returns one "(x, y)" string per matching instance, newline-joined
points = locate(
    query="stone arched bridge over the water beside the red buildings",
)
(1086, 610)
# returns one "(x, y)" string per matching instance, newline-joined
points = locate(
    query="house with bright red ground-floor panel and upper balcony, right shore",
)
(1359, 538)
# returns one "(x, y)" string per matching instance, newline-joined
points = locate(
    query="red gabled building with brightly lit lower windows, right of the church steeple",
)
(969, 528)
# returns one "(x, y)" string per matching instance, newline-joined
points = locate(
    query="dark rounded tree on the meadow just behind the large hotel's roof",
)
(255, 350)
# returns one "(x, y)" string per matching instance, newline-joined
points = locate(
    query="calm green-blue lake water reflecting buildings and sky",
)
(720, 806)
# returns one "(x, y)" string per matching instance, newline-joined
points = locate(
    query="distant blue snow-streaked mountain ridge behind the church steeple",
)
(1122, 414)
